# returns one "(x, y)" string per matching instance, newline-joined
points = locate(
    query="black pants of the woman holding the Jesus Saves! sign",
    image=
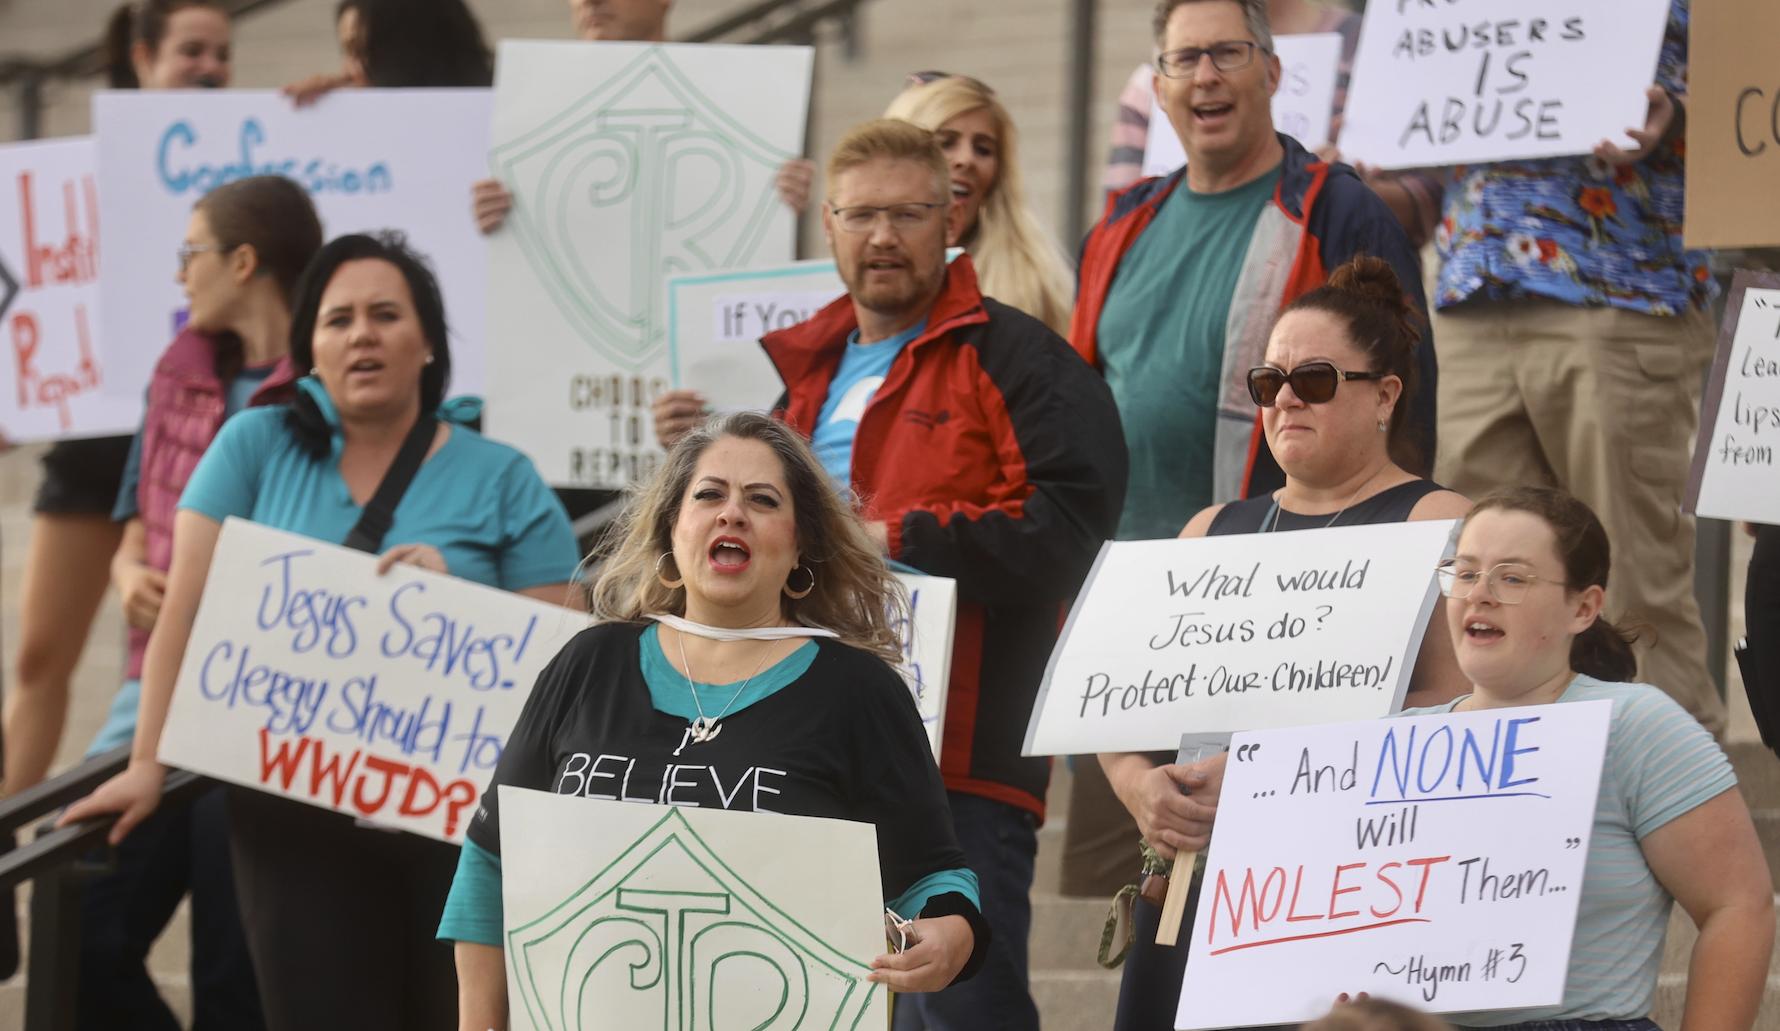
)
(343, 920)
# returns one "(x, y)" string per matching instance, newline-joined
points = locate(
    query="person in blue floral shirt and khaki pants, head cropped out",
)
(1574, 332)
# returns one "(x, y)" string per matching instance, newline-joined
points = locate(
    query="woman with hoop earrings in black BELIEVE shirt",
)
(741, 631)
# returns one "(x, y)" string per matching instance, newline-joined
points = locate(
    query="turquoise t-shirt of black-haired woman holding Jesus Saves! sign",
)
(480, 503)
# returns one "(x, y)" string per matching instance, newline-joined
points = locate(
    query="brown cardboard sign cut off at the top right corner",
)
(1733, 126)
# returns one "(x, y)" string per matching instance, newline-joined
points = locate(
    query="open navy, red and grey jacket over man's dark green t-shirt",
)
(1322, 216)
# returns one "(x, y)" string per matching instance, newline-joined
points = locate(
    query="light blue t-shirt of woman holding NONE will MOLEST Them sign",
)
(1660, 765)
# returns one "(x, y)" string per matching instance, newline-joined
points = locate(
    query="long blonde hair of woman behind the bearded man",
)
(1017, 261)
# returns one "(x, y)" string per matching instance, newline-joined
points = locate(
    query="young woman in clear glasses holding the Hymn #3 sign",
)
(1525, 613)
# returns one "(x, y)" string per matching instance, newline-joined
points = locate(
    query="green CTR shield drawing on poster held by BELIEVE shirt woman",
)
(672, 936)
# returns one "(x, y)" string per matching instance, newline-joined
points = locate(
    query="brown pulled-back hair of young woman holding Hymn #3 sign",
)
(1603, 651)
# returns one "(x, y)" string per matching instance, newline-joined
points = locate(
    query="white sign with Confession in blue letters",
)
(373, 159)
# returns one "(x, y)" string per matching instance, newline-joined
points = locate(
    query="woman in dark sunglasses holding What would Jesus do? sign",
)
(1336, 393)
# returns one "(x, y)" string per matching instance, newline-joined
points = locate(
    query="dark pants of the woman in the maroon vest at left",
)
(125, 911)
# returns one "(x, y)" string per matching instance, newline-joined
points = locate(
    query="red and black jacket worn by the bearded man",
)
(996, 459)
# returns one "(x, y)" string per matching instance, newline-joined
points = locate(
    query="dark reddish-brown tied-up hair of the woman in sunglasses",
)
(1368, 298)
